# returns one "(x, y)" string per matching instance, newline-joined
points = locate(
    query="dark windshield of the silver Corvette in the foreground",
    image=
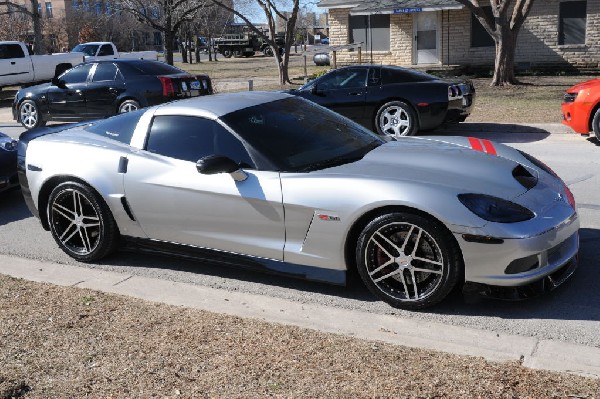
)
(297, 135)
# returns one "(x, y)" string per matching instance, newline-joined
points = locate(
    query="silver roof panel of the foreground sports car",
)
(220, 104)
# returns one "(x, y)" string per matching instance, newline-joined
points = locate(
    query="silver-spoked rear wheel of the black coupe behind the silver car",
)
(396, 119)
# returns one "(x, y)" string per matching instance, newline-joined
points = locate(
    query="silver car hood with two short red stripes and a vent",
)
(460, 163)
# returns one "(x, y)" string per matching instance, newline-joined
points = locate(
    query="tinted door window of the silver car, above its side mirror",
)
(190, 138)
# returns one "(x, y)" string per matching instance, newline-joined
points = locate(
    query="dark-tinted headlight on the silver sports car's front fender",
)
(495, 209)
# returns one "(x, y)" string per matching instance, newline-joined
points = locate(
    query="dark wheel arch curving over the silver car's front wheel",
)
(360, 223)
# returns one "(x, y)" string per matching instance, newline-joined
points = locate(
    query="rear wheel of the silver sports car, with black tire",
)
(81, 223)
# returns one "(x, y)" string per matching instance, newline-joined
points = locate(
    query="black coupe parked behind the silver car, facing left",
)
(390, 100)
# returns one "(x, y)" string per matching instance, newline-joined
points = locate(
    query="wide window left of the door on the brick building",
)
(372, 30)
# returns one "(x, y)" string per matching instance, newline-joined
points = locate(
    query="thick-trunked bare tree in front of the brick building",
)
(504, 28)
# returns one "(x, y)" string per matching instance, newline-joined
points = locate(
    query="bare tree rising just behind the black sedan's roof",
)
(165, 16)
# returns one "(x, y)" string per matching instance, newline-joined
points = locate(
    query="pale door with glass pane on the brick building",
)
(426, 36)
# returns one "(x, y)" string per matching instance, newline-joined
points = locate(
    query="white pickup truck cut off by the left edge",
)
(19, 67)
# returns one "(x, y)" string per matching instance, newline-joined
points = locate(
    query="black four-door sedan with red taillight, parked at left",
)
(103, 88)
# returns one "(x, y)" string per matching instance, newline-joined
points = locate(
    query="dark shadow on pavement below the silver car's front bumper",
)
(578, 299)
